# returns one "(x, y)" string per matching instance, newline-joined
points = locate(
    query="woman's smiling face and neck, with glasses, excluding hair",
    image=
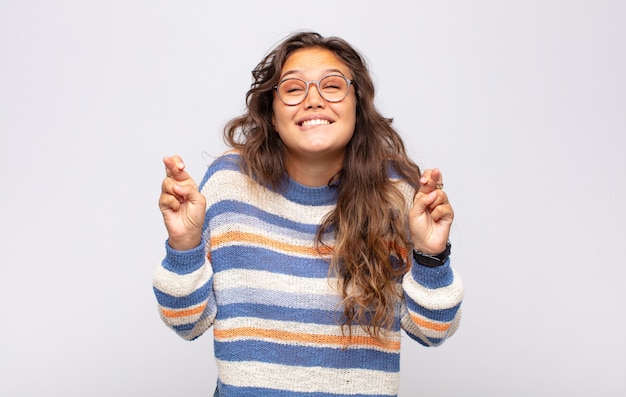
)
(314, 114)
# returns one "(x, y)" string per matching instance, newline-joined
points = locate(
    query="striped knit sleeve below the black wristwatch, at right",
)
(432, 307)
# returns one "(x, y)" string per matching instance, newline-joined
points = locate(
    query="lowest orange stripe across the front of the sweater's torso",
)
(304, 338)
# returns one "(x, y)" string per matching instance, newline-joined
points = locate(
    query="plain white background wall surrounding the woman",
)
(521, 103)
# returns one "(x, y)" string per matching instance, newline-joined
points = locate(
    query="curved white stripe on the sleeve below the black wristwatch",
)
(434, 299)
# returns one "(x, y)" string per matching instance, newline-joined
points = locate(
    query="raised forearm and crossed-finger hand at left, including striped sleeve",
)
(183, 283)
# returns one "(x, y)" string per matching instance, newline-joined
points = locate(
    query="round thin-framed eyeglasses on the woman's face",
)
(332, 88)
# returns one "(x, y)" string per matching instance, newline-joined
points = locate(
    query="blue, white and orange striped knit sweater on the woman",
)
(260, 282)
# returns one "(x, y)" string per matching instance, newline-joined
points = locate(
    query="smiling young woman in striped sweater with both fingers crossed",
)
(314, 242)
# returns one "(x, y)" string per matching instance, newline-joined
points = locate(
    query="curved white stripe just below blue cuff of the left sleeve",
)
(180, 285)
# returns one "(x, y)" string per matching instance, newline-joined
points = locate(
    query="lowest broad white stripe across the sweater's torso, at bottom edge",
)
(307, 379)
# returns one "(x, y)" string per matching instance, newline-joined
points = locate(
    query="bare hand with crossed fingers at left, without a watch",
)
(182, 205)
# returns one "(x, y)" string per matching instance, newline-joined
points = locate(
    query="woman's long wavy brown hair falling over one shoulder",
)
(369, 223)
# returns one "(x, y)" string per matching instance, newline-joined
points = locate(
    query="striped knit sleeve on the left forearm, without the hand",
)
(183, 285)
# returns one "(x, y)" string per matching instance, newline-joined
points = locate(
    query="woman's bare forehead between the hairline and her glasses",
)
(313, 62)
